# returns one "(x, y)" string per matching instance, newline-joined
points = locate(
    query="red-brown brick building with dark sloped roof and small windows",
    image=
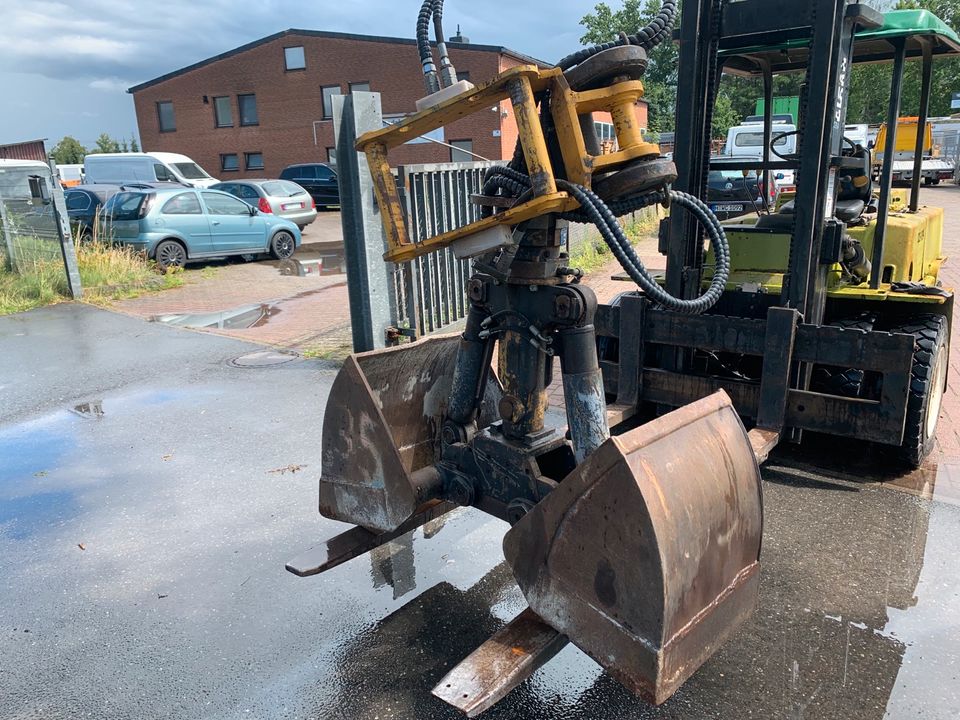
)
(260, 107)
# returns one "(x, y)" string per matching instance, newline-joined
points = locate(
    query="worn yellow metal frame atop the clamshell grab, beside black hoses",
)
(518, 85)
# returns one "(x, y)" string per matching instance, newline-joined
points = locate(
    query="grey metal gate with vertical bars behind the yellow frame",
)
(431, 291)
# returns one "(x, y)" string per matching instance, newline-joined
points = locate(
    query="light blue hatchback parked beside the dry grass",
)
(179, 225)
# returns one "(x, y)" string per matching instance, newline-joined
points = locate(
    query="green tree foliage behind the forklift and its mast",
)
(737, 98)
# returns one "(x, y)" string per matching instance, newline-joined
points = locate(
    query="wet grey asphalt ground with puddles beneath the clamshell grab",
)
(151, 491)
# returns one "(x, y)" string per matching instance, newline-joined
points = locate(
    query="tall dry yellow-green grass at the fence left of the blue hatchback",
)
(107, 273)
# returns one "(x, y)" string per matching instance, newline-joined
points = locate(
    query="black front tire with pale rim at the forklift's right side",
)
(931, 359)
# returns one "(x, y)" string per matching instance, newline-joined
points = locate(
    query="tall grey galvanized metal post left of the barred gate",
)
(369, 285)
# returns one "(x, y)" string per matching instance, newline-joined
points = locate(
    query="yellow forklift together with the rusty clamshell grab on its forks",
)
(635, 532)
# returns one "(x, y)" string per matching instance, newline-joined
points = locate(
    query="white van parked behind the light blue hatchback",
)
(121, 168)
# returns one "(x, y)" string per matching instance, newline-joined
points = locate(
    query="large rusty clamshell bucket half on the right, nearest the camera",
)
(646, 556)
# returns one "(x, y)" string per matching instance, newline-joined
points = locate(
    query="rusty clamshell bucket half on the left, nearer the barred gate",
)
(381, 428)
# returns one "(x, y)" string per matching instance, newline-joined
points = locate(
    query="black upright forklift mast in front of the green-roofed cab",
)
(712, 26)
